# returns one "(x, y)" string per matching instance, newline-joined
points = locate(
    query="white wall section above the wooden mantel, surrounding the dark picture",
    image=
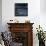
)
(8, 11)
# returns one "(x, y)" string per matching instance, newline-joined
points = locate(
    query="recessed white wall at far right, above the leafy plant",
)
(43, 14)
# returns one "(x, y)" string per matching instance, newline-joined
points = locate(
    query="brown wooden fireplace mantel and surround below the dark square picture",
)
(22, 33)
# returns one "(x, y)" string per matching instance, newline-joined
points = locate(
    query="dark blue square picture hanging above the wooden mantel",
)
(21, 9)
